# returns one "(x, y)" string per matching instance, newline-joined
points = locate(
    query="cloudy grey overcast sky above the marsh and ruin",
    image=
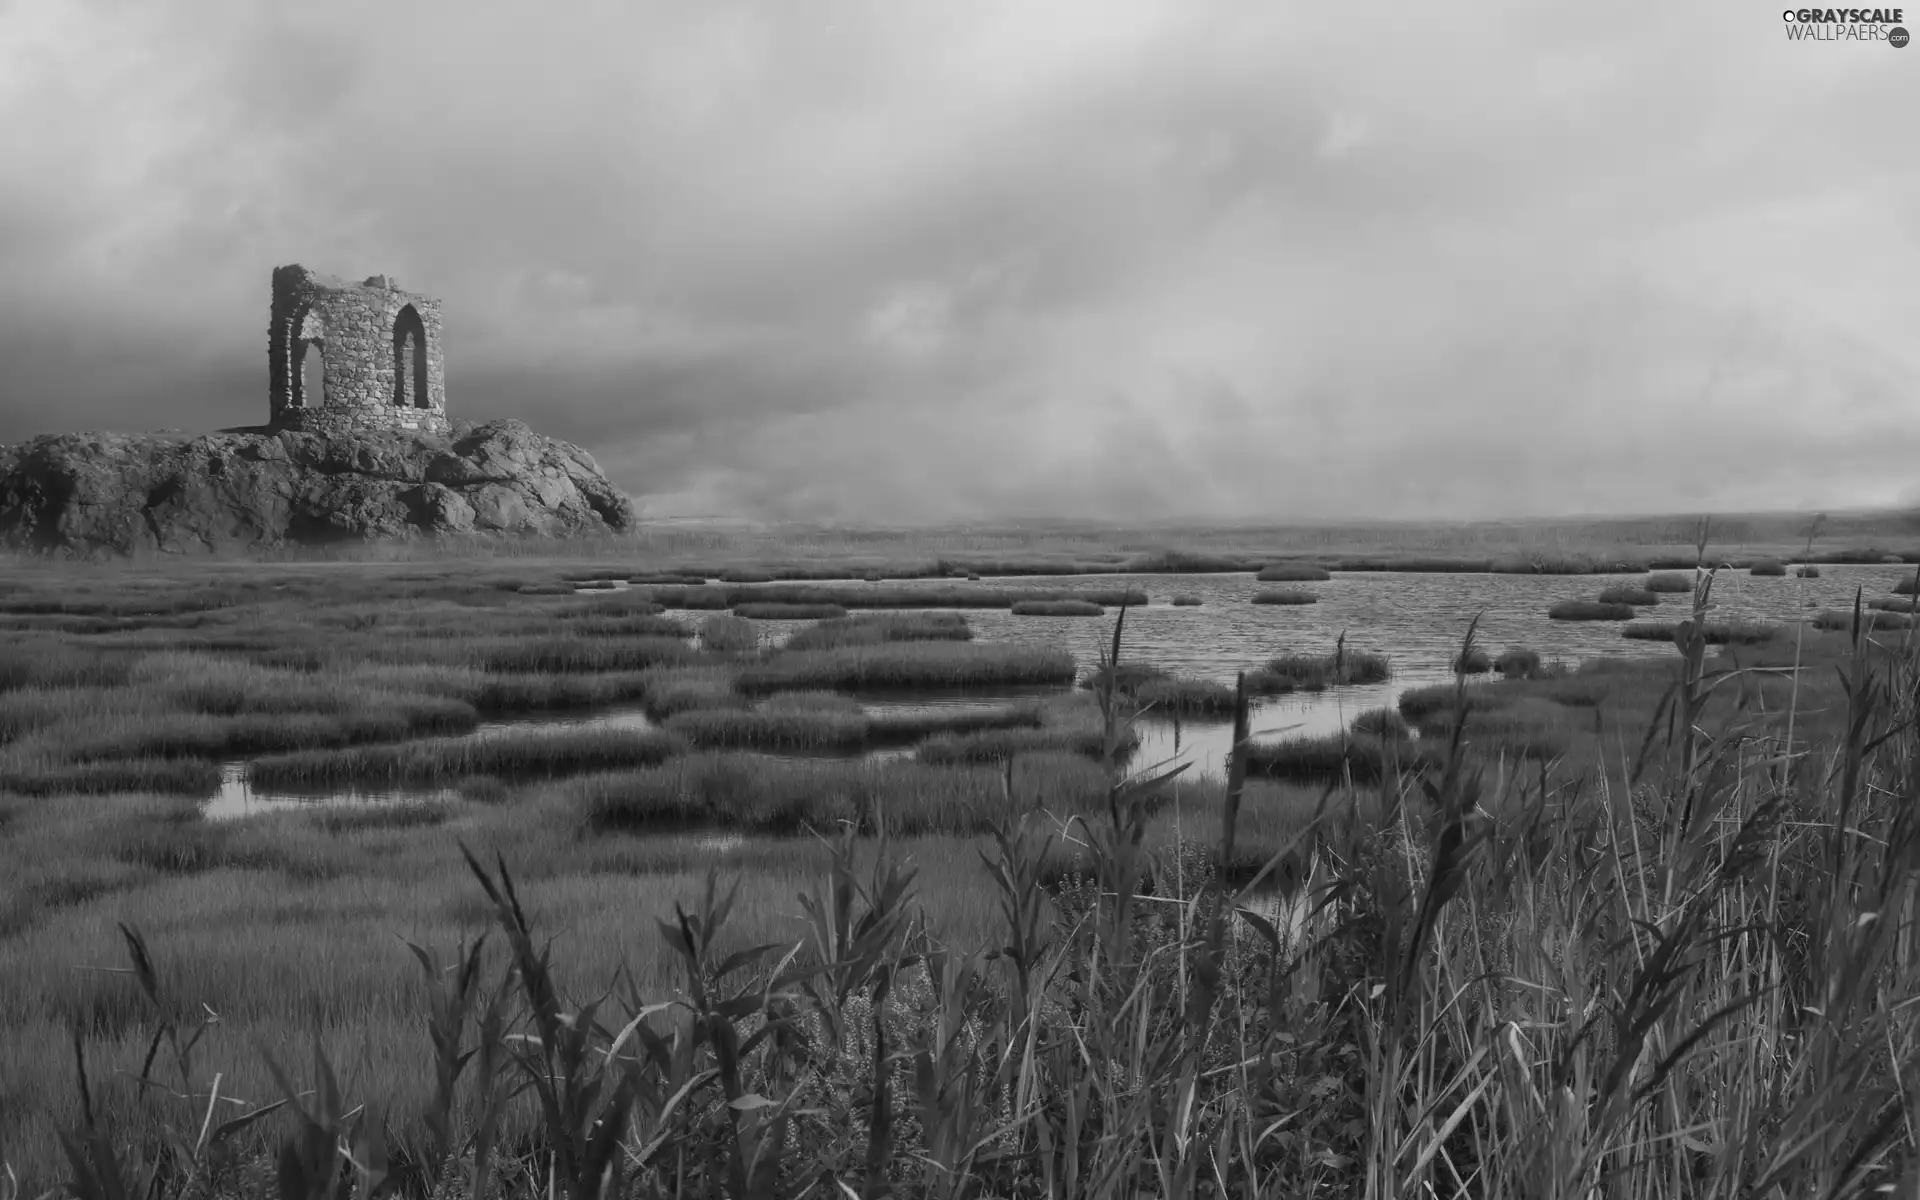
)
(926, 260)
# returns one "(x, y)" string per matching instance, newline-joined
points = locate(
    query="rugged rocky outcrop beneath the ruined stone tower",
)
(241, 491)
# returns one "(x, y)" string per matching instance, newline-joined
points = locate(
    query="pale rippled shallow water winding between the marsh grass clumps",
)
(1416, 619)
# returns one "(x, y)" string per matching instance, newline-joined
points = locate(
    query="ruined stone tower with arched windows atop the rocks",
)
(354, 358)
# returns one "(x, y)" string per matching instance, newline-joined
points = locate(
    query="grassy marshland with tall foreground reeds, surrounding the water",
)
(1643, 928)
